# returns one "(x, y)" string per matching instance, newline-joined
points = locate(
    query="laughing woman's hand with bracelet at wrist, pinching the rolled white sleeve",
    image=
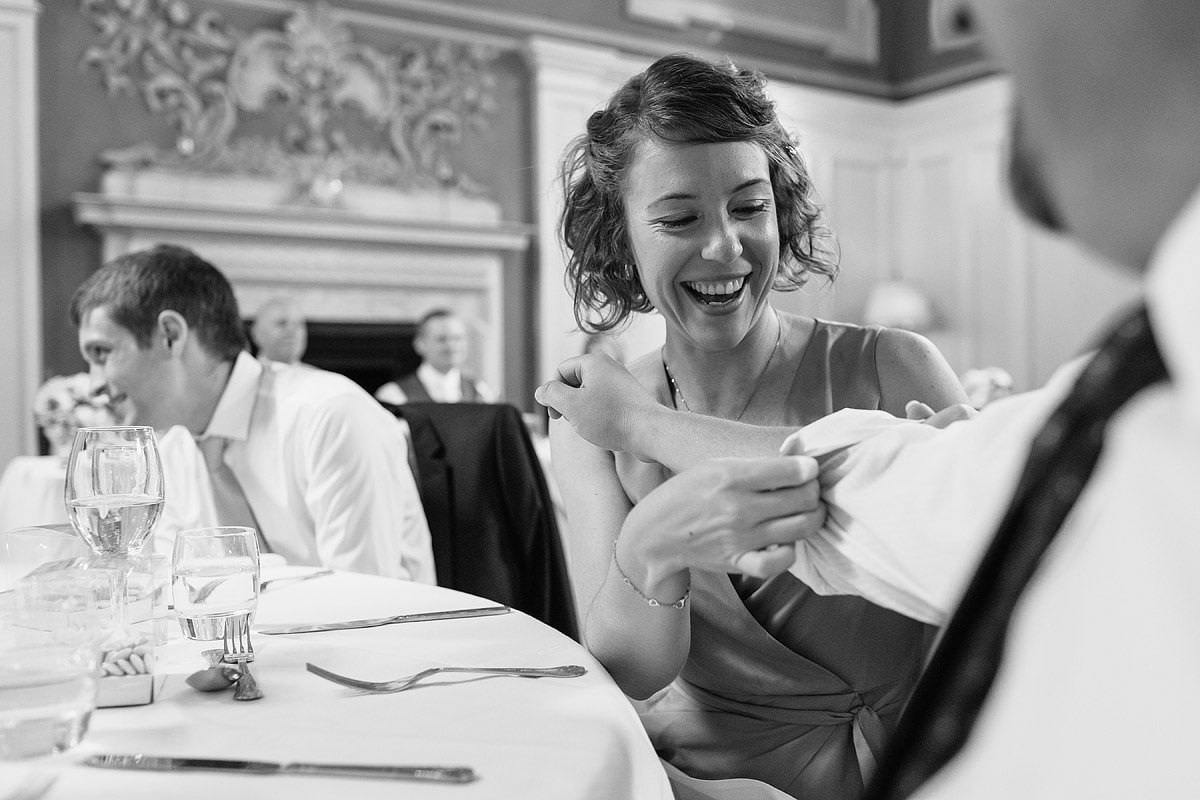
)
(725, 515)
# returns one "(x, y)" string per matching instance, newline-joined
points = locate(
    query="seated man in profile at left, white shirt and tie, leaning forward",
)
(304, 456)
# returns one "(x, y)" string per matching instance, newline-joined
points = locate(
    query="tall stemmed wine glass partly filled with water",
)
(115, 497)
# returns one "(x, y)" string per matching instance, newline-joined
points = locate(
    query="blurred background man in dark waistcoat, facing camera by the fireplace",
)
(442, 344)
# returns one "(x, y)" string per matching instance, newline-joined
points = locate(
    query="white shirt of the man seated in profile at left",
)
(323, 466)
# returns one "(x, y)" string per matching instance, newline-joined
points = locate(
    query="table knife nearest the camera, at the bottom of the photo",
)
(170, 765)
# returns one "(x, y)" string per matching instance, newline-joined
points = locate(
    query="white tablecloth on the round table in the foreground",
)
(554, 738)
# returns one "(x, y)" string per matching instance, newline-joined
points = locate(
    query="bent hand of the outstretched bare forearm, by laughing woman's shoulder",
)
(601, 399)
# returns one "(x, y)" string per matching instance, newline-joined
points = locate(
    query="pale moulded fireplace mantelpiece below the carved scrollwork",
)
(379, 256)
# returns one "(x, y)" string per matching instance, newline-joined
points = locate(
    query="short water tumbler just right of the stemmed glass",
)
(214, 579)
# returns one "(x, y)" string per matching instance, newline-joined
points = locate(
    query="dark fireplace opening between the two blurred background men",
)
(370, 354)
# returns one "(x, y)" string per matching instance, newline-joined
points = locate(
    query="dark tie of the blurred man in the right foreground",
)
(947, 701)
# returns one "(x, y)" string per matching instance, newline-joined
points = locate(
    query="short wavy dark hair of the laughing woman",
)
(683, 100)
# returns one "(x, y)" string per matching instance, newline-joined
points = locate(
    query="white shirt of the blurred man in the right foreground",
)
(1100, 689)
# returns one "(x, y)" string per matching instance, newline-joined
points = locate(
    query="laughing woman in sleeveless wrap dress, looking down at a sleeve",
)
(687, 197)
